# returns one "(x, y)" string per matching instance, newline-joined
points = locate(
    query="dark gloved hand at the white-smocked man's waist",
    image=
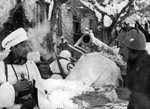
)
(22, 85)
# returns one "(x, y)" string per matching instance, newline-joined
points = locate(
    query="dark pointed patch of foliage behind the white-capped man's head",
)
(17, 19)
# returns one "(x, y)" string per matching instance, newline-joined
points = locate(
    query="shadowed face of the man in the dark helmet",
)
(124, 52)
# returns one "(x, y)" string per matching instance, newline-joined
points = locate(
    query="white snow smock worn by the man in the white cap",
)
(8, 97)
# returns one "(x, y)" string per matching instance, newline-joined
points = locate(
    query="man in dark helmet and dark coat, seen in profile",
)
(132, 44)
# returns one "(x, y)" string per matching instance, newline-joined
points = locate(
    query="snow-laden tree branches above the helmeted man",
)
(118, 10)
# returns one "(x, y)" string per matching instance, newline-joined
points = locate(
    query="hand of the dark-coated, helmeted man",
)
(123, 93)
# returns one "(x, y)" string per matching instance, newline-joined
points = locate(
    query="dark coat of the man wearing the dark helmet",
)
(138, 74)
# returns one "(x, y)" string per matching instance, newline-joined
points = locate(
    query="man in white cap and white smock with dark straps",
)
(17, 73)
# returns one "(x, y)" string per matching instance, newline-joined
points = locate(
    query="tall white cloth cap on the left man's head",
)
(14, 38)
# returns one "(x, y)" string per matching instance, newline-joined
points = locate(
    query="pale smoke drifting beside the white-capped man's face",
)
(38, 36)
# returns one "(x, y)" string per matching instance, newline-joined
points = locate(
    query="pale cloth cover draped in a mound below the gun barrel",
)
(95, 69)
